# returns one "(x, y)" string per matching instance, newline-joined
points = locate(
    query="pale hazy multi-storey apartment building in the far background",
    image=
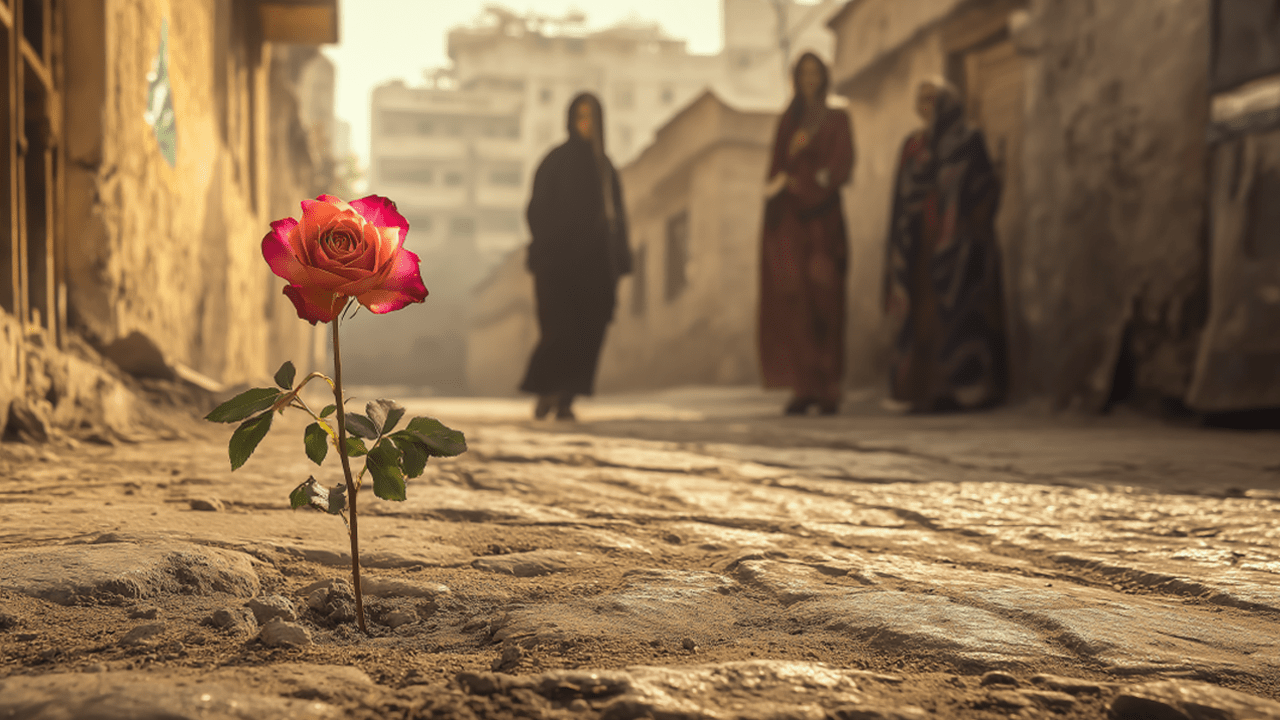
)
(506, 97)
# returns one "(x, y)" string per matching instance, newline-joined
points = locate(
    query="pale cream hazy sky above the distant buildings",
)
(383, 40)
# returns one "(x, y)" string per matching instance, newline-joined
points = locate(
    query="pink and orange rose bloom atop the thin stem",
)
(344, 250)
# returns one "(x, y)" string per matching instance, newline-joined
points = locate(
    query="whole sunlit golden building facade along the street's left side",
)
(144, 167)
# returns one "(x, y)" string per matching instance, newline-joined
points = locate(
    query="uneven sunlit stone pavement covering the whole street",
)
(674, 555)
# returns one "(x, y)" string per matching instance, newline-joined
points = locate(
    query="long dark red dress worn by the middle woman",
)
(804, 261)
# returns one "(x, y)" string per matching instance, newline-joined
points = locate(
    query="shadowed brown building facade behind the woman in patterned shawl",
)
(1132, 217)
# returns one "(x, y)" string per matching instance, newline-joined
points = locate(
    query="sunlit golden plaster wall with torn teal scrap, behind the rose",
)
(175, 252)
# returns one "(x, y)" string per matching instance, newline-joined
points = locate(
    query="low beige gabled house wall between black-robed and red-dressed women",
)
(707, 334)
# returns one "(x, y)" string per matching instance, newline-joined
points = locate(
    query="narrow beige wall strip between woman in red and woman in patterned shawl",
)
(883, 108)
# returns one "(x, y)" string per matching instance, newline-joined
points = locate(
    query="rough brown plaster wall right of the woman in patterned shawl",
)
(1114, 167)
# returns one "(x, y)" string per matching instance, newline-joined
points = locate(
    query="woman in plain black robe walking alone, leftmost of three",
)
(578, 253)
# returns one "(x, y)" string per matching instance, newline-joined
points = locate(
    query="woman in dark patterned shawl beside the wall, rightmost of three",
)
(943, 288)
